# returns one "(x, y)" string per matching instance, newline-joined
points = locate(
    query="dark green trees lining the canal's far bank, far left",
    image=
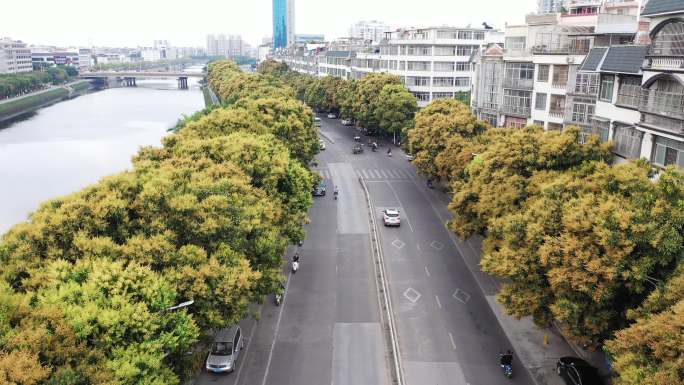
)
(12, 85)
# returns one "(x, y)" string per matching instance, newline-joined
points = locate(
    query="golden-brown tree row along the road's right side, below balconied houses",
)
(596, 248)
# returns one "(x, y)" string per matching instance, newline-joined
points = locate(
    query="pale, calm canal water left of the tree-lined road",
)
(69, 145)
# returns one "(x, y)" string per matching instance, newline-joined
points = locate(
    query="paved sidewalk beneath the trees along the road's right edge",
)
(527, 340)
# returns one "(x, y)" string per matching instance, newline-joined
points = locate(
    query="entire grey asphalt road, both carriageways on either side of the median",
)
(327, 331)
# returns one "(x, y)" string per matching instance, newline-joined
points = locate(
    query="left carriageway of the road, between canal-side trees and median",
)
(327, 330)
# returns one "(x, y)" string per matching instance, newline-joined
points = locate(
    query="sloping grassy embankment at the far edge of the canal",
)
(12, 108)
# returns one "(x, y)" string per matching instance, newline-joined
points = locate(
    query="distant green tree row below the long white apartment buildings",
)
(378, 102)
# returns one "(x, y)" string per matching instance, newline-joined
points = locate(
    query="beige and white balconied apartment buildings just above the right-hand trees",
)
(536, 79)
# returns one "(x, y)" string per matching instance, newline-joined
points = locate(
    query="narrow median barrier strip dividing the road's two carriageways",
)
(385, 301)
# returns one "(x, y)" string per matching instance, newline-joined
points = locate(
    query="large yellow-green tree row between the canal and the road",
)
(87, 284)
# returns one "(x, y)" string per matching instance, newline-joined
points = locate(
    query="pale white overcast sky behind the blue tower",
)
(186, 23)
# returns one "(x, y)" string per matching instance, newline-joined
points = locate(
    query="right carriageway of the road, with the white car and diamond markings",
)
(447, 331)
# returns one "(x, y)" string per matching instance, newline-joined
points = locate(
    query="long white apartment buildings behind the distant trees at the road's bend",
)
(433, 63)
